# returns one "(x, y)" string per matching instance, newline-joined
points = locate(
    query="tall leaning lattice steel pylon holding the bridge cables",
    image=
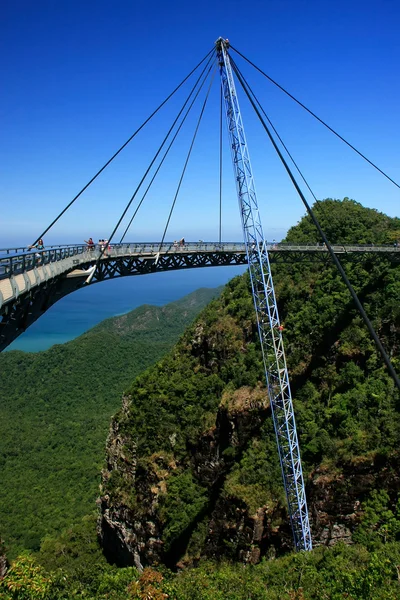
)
(269, 328)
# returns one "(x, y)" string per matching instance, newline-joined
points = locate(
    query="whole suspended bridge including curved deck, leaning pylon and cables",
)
(33, 279)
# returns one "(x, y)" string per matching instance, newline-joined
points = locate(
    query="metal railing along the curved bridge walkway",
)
(15, 261)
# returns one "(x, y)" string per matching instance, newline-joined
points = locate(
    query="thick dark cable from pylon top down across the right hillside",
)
(335, 259)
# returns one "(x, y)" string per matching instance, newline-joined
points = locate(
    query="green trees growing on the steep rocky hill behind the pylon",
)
(347, 407)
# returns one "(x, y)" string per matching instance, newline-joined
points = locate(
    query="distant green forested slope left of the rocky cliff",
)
(55, 412)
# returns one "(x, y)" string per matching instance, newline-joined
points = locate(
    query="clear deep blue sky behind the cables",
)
(78, 76)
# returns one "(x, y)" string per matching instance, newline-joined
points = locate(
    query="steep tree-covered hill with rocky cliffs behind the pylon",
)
(192, 464)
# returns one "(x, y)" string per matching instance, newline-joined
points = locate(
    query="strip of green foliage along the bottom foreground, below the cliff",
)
(73, 567)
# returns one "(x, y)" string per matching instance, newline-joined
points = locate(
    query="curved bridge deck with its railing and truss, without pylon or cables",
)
(32, 281)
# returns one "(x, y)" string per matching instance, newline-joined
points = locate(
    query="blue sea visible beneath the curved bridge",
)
(81, 310)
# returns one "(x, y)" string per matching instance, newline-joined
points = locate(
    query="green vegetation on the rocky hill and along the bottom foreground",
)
(347, 412)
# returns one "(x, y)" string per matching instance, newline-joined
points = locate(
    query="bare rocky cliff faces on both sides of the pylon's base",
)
(131, 527)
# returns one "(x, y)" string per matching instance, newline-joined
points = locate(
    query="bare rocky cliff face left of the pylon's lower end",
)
(131, 528)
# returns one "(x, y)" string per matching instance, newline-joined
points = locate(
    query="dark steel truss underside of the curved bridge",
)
(25, 306)
